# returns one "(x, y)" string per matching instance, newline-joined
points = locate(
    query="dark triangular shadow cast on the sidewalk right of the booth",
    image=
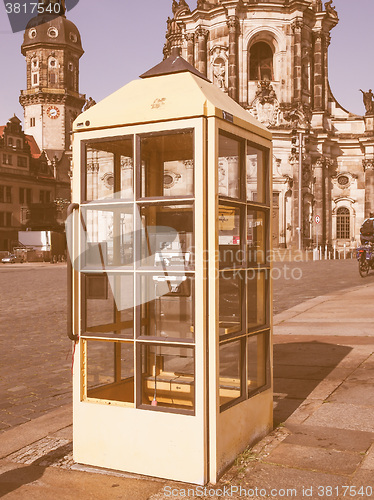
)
(298, 369)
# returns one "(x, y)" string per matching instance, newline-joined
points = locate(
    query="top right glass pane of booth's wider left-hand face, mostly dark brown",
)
(167, 164)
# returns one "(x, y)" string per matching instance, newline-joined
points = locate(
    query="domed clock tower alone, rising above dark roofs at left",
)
(51, 102)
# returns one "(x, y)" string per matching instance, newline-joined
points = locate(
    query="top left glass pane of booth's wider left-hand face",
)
(109, 169)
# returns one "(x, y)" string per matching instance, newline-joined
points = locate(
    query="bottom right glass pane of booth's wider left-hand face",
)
(167, 377)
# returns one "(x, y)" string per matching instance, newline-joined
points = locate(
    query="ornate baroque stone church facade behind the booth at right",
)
(271, 56)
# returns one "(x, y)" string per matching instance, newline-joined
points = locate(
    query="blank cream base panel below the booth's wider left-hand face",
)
(152, 443)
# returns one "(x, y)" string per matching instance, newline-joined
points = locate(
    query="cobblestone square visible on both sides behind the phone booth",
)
(36, 353)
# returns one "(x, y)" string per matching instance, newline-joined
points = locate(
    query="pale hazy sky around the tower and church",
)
(124, 38)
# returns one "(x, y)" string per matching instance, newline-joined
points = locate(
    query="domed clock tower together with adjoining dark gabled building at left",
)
(35, 161)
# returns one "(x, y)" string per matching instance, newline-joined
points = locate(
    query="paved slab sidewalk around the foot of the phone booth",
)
(322, 445)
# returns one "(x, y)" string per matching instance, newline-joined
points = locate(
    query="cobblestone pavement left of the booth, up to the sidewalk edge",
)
(35, 351)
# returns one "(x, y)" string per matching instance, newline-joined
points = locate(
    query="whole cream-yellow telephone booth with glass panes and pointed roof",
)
(169, 237)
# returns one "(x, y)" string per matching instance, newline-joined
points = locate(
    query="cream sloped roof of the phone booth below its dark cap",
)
(163, 98)
